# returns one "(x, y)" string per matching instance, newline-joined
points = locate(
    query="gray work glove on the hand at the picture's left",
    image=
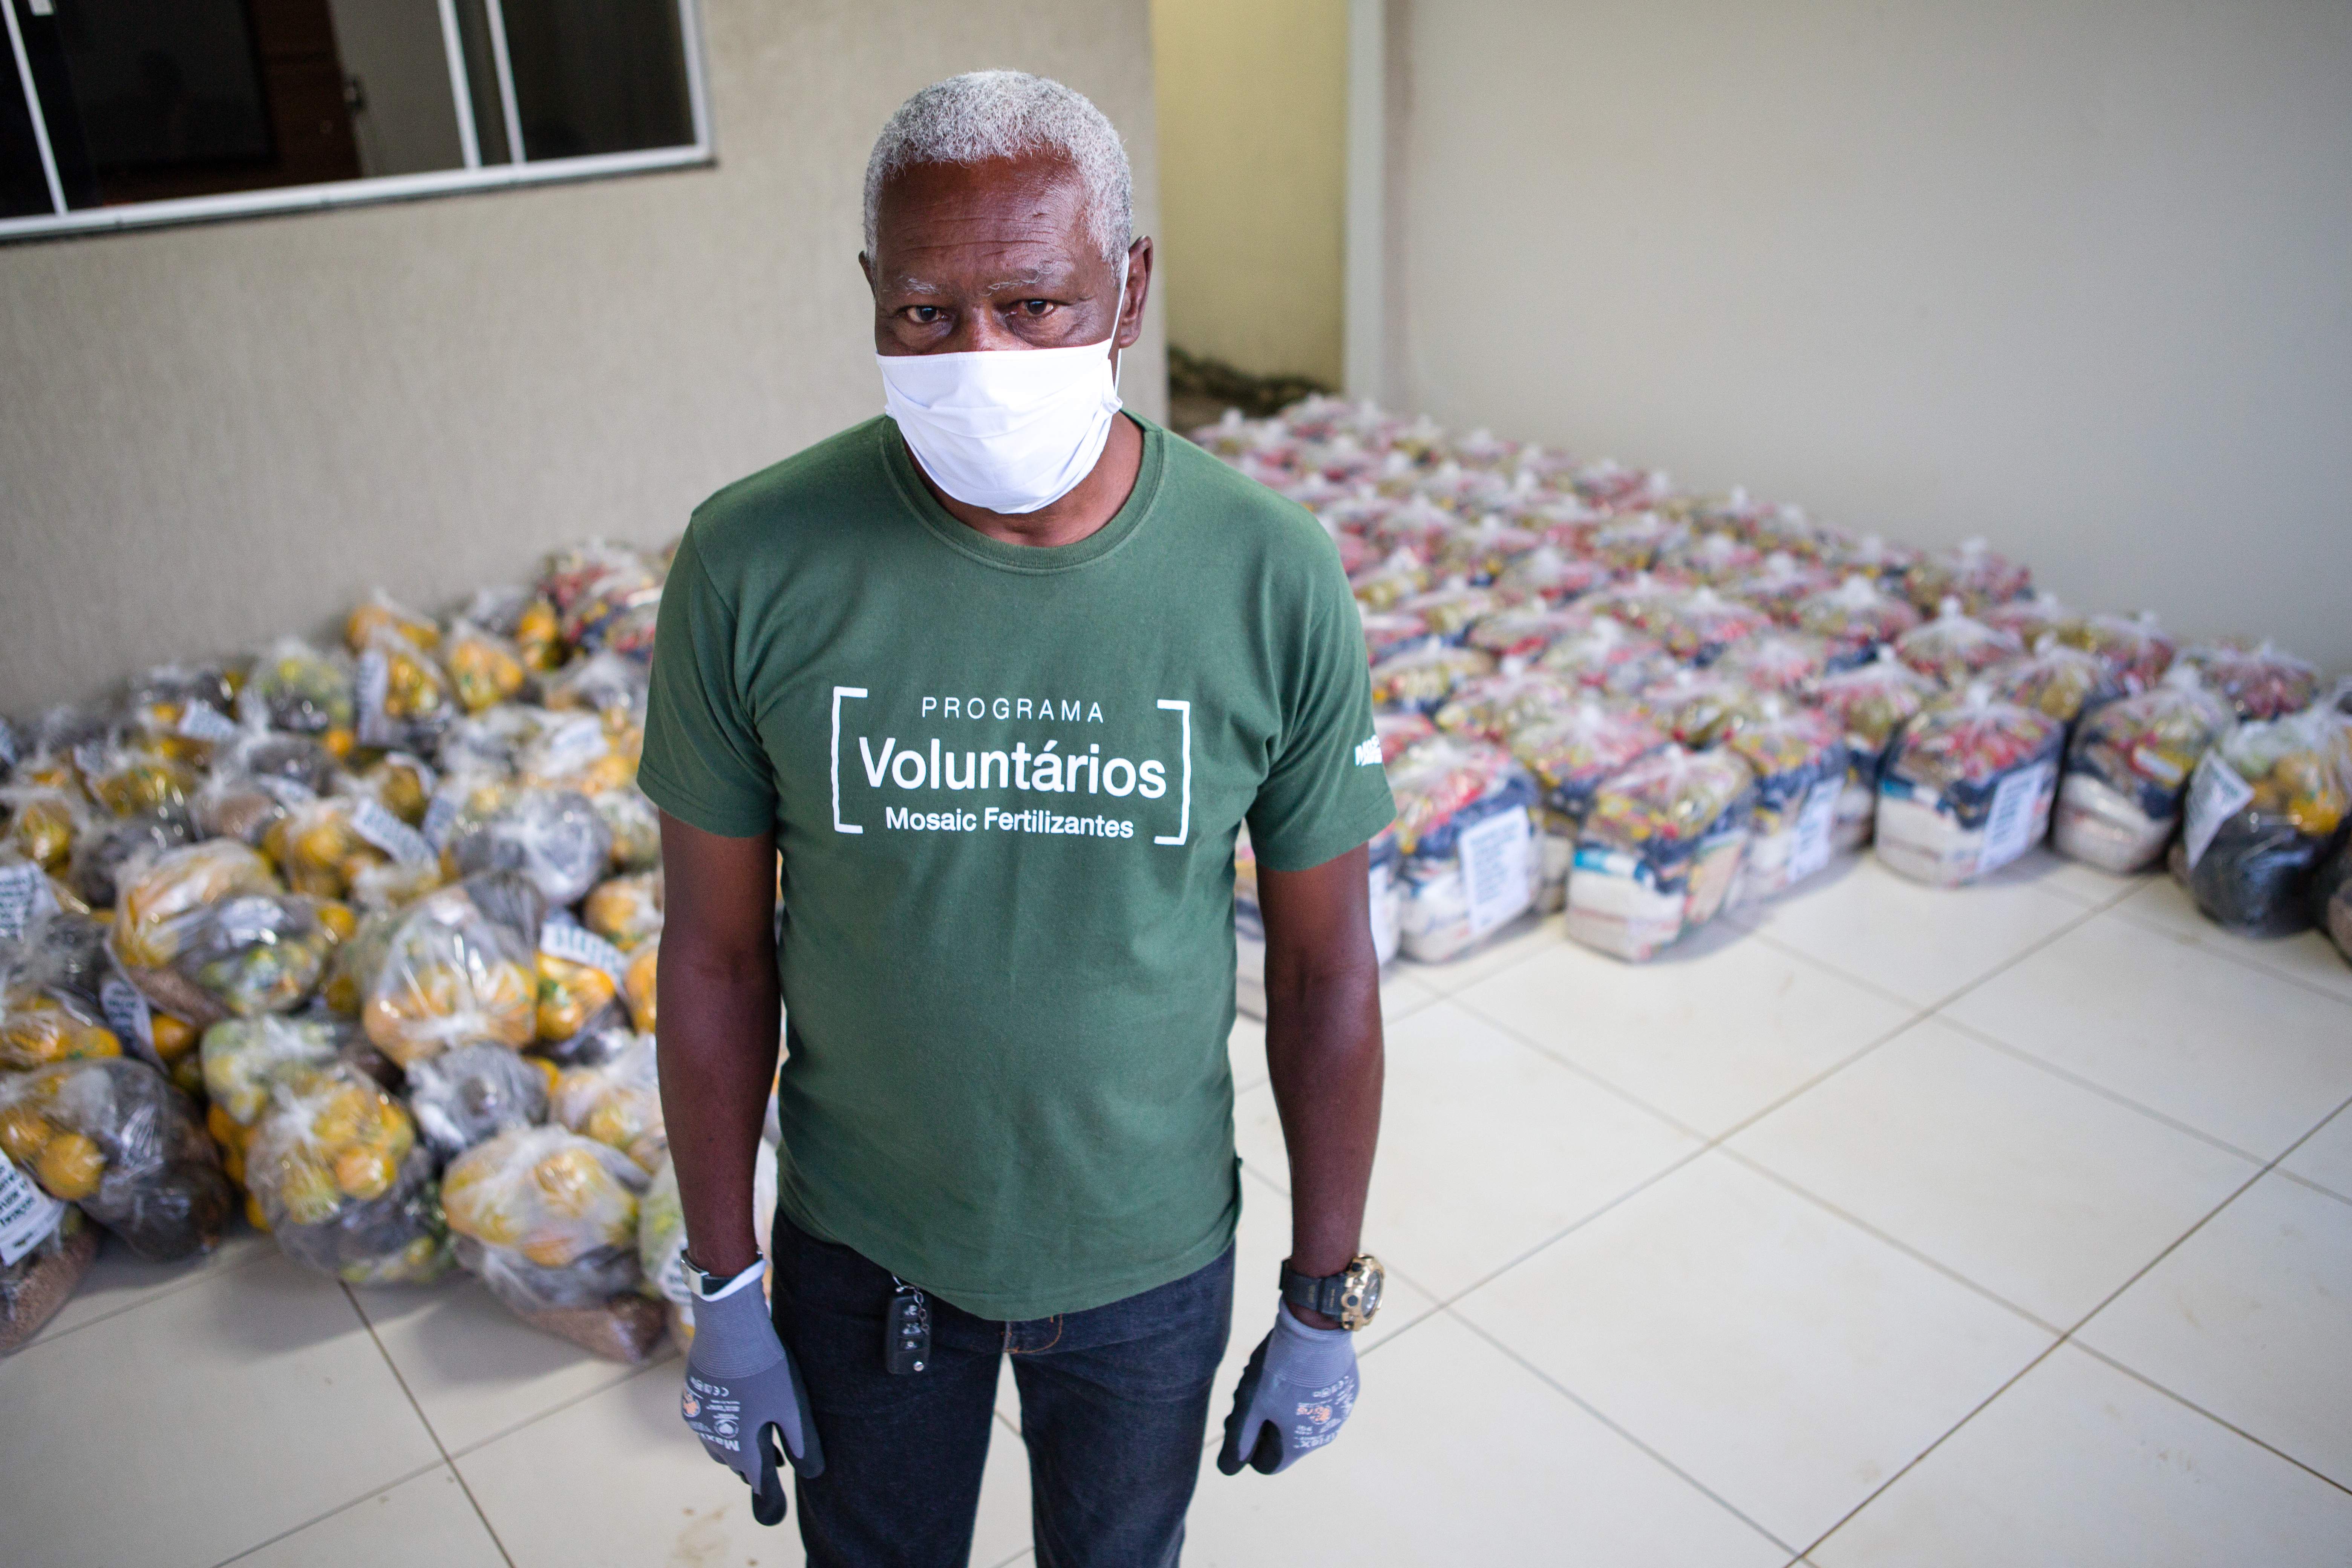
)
(744, 1395)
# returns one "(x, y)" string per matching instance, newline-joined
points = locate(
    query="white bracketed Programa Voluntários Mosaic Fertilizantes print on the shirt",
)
(980, 763)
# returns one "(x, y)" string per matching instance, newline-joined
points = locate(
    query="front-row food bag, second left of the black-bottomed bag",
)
(1967, 789)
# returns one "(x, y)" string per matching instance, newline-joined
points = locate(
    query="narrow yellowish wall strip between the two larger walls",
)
(1252, 180)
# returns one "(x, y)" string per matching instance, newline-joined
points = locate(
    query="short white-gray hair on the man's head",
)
(1003, 114)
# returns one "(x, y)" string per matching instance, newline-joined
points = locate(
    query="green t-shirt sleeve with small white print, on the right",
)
(1325, 791)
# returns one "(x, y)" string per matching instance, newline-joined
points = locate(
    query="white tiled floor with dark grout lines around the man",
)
(2007, 1226)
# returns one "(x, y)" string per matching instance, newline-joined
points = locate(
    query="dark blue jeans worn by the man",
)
(1114, 1409)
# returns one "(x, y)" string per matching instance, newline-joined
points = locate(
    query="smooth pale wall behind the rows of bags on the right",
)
(2076, 276)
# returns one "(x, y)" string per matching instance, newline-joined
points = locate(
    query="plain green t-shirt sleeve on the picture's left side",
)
(702, 763)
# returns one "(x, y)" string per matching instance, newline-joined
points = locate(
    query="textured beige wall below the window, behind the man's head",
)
(218, 434)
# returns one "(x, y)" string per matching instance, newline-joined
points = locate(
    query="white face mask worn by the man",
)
(1010, 431)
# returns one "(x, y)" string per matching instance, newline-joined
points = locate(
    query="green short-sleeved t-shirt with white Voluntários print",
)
(1005, 784)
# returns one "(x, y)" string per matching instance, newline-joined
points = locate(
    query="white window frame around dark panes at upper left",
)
(385, 187)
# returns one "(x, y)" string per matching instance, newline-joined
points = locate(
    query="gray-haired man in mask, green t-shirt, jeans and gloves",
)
(1001, 676)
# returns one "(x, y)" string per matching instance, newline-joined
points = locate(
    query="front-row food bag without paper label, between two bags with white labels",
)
(1659, 852)
